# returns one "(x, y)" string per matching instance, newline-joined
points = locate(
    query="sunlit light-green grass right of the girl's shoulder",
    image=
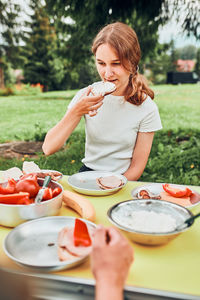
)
(179, 105)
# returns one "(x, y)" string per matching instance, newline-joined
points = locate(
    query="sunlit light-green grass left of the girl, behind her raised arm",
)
(24, 116)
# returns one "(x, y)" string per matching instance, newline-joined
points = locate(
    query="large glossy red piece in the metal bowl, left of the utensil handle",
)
(28, 185)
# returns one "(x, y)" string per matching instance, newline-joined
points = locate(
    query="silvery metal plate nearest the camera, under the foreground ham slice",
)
(34, 244)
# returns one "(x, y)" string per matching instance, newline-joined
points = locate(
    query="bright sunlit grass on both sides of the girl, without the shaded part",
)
(24, 116)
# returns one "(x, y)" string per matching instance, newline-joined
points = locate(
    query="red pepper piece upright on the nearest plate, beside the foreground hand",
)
(81, 234)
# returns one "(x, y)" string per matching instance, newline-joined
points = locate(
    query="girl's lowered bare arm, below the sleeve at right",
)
(140, 155)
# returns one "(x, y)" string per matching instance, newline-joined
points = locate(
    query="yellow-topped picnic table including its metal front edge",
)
(170, 271)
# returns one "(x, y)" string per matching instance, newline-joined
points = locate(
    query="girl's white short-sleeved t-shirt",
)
(111, 134)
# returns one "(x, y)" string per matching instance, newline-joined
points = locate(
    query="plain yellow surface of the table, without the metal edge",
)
(173, 267)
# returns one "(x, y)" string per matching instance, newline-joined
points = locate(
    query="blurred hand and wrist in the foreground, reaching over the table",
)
(111, 258)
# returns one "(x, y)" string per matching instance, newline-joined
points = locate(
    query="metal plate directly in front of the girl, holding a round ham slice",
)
(85, 183)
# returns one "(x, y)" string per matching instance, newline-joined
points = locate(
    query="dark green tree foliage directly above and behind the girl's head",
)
(90, 16)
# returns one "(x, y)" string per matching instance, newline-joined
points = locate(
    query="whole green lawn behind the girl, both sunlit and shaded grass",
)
(29, 117)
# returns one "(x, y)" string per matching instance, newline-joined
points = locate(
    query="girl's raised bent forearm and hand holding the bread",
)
(57, 136)
